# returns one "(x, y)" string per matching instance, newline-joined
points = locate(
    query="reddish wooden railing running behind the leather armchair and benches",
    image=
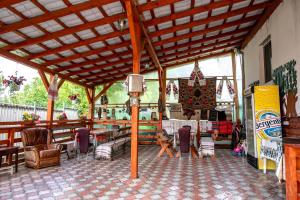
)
(60, 129)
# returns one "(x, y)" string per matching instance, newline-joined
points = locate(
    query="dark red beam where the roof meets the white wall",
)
(265, 16)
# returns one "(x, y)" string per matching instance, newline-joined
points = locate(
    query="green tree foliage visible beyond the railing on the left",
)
(35, 93)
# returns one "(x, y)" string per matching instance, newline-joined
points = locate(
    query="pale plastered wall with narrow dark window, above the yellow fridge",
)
(284, 28)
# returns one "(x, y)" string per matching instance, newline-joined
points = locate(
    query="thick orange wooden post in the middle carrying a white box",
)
(135, 35)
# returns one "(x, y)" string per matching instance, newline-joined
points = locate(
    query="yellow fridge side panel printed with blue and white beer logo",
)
(268, 119)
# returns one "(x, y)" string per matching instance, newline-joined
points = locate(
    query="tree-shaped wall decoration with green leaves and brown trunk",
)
(285, 77)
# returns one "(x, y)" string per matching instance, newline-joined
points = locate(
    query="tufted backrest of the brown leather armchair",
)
(35, 136)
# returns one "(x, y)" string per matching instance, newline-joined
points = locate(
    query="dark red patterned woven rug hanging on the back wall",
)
(198, 96)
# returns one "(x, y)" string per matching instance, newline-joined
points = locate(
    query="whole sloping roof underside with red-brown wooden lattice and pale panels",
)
(81, 42)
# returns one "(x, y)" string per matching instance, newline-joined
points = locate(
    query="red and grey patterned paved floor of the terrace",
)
(227, 177)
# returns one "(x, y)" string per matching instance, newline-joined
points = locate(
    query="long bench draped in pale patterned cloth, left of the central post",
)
(118, 142)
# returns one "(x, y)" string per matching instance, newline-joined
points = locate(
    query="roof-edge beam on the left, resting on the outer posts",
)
(34, 65)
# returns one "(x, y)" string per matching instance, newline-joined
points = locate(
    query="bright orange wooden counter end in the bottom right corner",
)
(292, 163)
